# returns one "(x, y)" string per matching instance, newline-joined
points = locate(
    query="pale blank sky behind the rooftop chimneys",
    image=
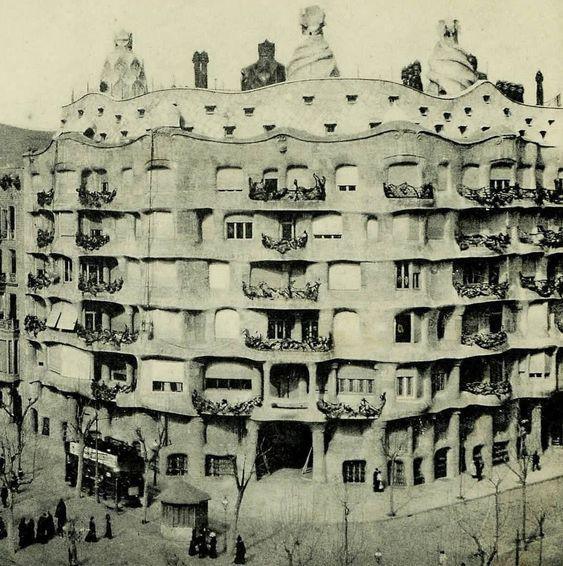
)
(51, 48)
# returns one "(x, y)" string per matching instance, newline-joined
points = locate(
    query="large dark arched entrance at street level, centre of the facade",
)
(283, 445)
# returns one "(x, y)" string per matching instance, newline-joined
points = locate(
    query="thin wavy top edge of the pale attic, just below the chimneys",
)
(475, 86)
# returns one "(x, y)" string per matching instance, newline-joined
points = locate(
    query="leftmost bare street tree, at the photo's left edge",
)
(18, 470)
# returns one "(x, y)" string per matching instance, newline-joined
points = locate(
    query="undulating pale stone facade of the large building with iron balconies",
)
(336, 293)
